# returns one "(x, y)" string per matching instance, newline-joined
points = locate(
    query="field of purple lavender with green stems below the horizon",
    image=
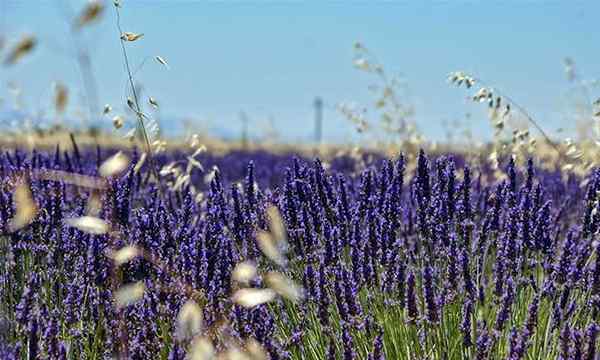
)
(389, 262)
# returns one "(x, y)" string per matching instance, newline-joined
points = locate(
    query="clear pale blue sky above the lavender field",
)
(270, 59)
